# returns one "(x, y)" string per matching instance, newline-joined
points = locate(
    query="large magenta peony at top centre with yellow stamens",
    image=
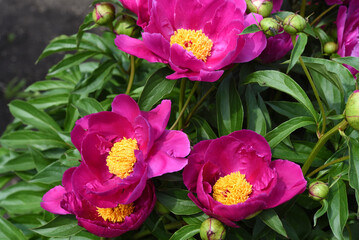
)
(196, 38)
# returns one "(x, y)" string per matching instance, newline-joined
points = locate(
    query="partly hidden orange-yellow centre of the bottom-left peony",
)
(117, 214)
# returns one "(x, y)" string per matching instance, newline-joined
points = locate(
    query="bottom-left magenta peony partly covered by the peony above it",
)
(103, 222)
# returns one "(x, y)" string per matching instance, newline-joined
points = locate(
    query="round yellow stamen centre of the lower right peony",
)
(232, 189)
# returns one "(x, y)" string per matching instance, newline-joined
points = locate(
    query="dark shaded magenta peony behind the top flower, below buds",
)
(277, 47)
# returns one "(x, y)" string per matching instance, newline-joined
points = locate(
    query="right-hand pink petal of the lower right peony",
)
(290, 182)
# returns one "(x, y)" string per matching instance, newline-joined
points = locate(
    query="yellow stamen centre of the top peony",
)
(193, 41)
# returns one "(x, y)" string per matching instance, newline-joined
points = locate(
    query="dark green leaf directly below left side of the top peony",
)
(156, 87)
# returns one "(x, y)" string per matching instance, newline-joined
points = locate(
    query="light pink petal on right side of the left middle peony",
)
(168, 152)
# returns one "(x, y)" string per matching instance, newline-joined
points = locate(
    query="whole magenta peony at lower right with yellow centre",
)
(233, 177)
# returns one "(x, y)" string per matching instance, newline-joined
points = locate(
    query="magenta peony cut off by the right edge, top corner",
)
(348, 32)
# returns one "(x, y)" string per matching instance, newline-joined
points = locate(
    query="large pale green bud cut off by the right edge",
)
(352, 110)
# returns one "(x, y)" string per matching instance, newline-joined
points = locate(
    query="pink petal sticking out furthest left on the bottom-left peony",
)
(52, 199)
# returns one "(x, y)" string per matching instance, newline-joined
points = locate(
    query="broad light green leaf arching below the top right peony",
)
(335, 72)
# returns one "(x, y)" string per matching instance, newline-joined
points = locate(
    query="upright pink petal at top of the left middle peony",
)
(125, 106)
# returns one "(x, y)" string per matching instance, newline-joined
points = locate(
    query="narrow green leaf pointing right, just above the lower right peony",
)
(278, 134)
